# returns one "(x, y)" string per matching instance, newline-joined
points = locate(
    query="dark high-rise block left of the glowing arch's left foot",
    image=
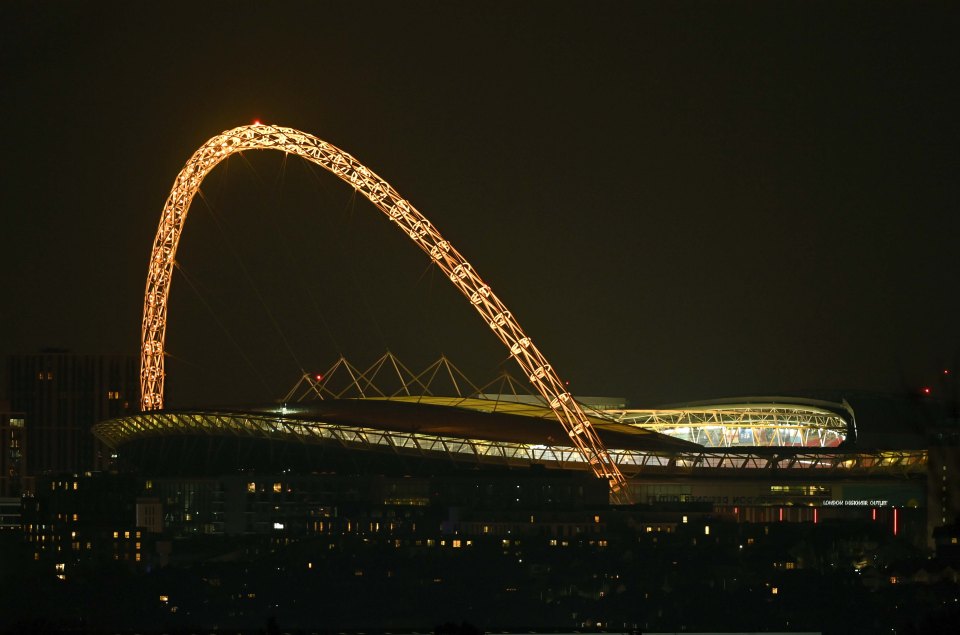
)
(61, 395)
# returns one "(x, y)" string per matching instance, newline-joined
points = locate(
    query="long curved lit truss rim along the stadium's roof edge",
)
(427, 430)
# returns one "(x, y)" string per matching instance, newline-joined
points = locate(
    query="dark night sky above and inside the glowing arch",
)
(678, 200)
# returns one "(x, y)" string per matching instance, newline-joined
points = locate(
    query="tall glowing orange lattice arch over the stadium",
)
(263, 137)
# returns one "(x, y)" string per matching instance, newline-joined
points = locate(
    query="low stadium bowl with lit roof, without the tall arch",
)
(751, 460)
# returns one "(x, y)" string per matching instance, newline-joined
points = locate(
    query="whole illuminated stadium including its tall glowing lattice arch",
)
(756, 459)
